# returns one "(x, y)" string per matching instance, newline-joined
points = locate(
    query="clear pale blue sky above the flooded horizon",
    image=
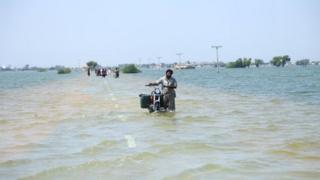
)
(59, 32)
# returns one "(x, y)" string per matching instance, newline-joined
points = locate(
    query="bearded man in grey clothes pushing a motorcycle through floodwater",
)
(168, 84)
